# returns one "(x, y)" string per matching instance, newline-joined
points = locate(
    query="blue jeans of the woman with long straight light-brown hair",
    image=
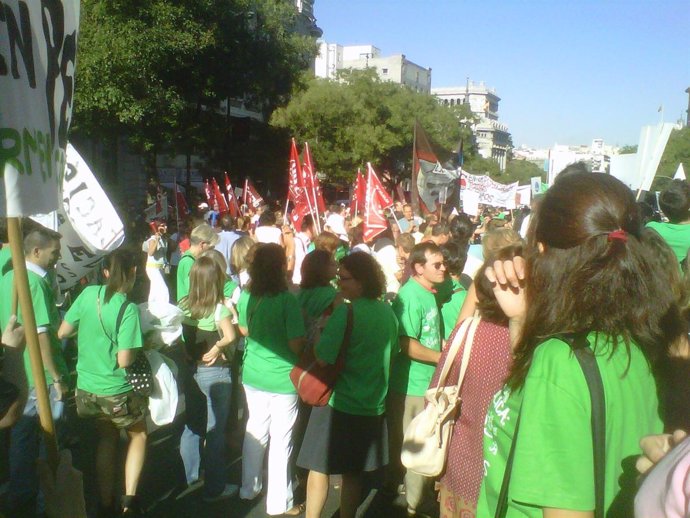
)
(216, 384)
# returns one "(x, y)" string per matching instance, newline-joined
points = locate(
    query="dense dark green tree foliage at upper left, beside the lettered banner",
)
(156, 70)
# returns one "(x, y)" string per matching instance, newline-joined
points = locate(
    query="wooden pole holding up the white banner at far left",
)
(21, 281)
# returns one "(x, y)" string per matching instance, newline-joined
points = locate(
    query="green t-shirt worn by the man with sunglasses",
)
(419, 318)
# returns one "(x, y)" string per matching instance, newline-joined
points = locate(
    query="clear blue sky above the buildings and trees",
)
(566, 72)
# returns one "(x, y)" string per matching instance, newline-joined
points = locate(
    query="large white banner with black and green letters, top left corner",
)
(38, 46)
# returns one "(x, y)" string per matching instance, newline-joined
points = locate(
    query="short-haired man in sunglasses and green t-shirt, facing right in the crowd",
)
(414, 365)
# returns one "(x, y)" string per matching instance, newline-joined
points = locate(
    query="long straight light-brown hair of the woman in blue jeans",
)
(206, 281)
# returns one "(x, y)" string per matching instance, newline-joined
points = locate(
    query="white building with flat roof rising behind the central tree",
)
(396, 68)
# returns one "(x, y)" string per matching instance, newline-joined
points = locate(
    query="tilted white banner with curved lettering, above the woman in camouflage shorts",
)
(89, 224)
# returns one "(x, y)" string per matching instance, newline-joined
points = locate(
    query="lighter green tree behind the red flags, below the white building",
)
(359, 119)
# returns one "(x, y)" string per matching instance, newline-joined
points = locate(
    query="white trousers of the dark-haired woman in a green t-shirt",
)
(271, 416)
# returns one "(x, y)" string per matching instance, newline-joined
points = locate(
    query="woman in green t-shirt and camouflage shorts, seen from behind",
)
(108, 340)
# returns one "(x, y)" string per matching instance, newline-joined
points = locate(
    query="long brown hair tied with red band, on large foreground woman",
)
(587, 280)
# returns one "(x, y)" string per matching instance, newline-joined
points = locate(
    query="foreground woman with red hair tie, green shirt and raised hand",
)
(588, 279)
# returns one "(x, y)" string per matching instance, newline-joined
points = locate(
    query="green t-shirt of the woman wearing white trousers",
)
(272, 322)
